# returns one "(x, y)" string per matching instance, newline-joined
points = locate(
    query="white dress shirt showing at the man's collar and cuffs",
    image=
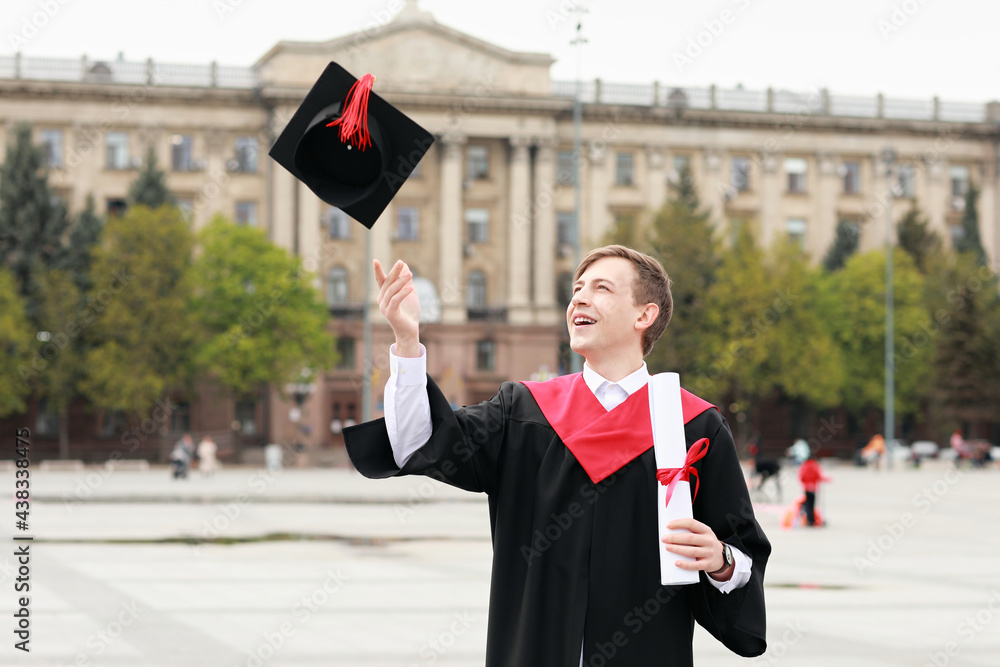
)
(408, 421)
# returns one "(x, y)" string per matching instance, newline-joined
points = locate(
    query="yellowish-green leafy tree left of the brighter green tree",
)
(140, 306)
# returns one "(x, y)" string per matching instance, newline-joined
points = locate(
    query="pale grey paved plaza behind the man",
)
(322, 567)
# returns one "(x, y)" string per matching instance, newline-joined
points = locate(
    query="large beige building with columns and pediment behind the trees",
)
(487, 222)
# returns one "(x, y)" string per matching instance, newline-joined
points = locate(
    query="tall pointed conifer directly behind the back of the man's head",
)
(683, 239)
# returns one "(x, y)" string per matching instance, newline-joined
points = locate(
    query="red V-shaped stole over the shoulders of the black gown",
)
(602, 441)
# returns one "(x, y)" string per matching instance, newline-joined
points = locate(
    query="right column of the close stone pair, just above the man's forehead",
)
(546, 309)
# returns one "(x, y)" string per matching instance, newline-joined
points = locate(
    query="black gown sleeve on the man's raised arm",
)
(464, 449)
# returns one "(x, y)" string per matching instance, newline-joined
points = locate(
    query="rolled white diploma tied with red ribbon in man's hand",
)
(670, 448)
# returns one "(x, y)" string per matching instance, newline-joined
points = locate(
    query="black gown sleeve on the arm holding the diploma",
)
(736, 618)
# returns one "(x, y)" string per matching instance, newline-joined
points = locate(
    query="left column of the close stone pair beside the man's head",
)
(519, 233)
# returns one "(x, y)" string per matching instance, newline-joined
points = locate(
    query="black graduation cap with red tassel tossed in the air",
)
(350, 146)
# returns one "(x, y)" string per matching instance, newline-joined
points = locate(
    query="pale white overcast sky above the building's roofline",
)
(904, 48)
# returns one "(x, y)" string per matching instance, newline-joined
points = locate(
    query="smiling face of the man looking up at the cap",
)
(603, 295)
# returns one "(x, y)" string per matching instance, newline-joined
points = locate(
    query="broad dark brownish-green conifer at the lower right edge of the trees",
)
(966, 359)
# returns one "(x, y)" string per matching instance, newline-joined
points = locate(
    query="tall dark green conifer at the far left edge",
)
(33, 225)
